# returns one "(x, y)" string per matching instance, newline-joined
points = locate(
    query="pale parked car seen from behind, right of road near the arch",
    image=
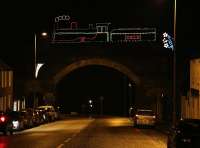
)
(144, 117)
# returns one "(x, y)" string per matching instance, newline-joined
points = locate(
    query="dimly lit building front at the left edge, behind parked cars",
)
(6, 87)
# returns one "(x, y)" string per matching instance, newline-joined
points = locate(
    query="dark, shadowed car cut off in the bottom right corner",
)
(185, 134)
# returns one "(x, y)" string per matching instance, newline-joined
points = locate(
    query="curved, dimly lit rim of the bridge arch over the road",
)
(96, 61)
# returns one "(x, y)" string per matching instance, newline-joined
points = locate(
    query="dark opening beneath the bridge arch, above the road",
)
(96, 90)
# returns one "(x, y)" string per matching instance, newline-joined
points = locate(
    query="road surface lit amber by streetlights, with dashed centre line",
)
(110, 132)
